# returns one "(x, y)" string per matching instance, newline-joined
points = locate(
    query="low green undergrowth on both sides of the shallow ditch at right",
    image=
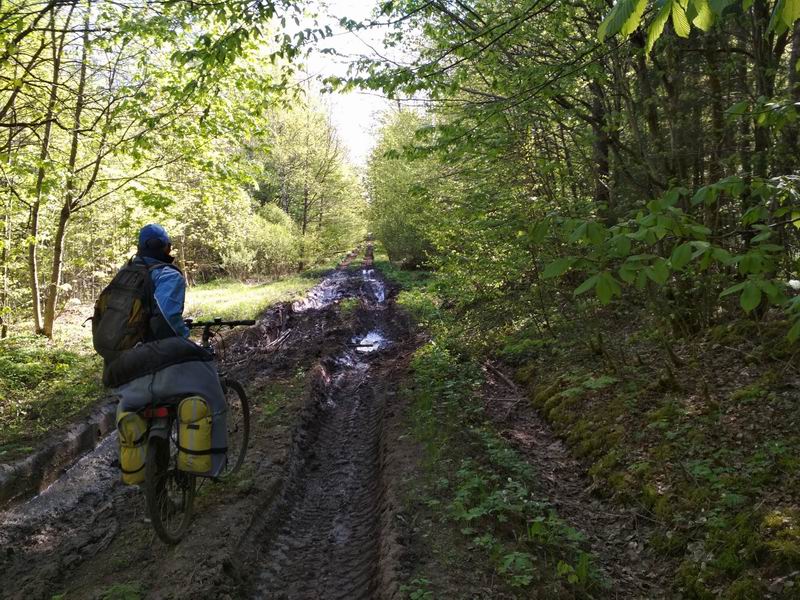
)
(699, 435)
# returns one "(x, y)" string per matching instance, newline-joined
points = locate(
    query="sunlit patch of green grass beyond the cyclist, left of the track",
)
(236, 300)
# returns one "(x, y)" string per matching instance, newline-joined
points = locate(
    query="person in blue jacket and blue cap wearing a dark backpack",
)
(165, 365)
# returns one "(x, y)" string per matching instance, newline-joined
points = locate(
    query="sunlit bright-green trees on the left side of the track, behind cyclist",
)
(119, 113)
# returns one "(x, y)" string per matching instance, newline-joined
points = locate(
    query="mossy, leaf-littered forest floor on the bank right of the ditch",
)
(708, 450)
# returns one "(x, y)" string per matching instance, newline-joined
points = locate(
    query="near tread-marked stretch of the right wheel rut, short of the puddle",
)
(328, 546)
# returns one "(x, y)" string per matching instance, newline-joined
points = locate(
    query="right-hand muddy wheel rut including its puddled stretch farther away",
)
(323, 538)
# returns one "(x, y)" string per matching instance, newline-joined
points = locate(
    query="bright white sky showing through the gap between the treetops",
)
(354, 114)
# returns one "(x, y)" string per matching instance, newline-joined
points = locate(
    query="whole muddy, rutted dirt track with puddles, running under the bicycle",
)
(308, 516)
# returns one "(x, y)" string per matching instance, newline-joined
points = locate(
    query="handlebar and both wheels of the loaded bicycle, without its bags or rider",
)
(170, 492)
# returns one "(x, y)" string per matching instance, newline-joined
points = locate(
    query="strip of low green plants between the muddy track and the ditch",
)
(475, 481)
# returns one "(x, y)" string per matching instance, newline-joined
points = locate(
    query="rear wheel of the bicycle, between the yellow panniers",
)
(169, 516)
